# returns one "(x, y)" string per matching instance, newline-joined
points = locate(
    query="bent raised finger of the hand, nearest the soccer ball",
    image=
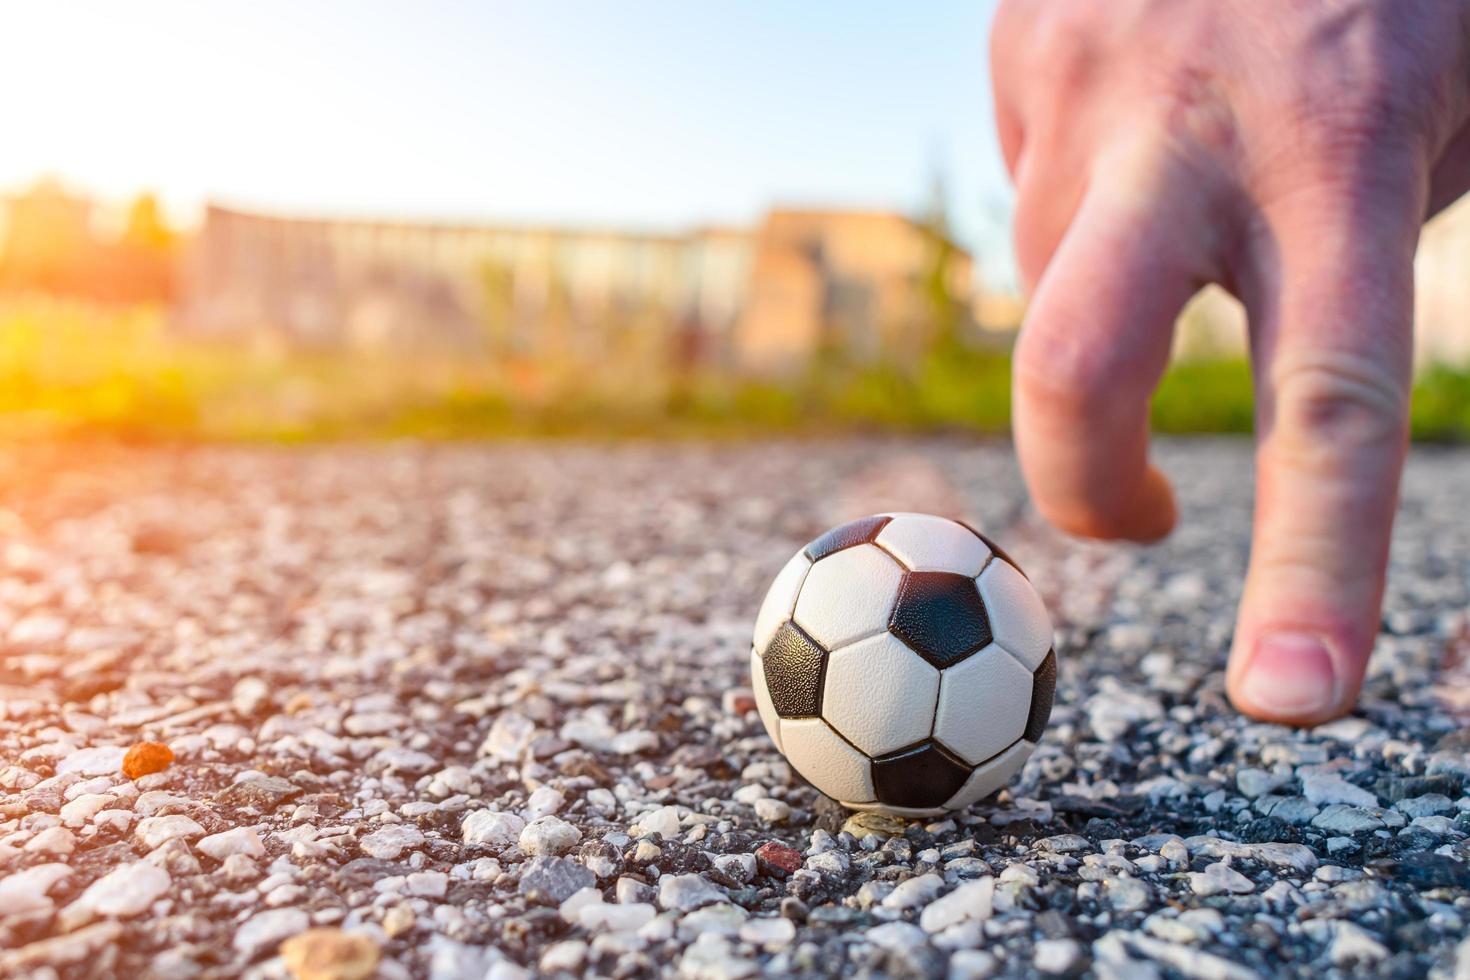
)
(1096, 342)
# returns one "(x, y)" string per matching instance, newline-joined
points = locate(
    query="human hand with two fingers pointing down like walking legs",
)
(1288, 152)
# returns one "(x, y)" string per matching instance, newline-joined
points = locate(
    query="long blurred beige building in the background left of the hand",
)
(765, 300)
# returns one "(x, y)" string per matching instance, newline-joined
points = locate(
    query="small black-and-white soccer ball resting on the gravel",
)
(905, 663)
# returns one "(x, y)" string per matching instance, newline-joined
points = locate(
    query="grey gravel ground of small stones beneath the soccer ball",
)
(484, 713)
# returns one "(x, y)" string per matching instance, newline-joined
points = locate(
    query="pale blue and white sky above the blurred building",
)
(642, 114)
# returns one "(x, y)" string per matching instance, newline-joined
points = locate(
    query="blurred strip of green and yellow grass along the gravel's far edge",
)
(79, 370)
